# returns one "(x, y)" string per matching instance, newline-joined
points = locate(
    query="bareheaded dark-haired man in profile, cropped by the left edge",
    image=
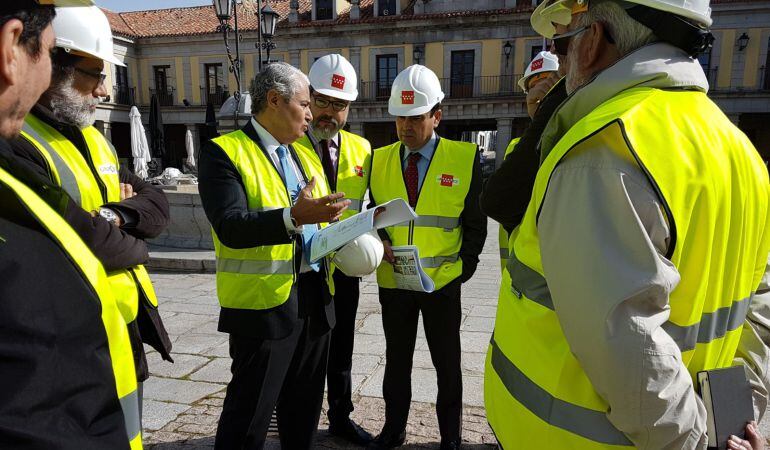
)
(66, 365)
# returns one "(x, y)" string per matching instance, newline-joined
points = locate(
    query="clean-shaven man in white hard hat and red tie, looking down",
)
(441, 180)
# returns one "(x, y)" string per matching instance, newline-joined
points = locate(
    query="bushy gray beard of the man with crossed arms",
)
(70, 106)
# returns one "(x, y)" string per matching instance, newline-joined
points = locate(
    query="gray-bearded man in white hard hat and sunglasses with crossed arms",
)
(58, 137)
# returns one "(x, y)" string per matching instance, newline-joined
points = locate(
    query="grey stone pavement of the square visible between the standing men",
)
(183, 400)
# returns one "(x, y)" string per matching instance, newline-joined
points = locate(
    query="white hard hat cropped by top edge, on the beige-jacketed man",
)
(561, 11)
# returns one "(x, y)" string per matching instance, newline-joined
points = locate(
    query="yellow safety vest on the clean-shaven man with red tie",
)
(437, 231)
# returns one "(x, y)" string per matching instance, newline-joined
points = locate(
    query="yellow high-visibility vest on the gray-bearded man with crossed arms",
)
(69, 169)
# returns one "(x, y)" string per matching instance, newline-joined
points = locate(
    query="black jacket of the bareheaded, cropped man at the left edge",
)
(57, 388)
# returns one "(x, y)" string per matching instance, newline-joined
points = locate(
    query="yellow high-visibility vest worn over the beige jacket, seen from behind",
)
(540, 392)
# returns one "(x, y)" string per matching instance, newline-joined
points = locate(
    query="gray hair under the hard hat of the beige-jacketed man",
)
(627, 33)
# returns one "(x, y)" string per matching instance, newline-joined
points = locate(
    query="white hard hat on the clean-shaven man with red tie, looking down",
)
(416, 90)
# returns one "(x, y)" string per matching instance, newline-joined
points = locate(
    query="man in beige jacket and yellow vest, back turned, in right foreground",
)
(641, 256)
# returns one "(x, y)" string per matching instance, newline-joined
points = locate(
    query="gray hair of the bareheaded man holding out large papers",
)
(284, 78)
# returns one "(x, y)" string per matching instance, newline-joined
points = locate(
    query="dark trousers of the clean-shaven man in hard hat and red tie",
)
(441, 315)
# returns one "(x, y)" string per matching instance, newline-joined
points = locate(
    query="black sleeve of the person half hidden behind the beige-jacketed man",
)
(508, 191)
